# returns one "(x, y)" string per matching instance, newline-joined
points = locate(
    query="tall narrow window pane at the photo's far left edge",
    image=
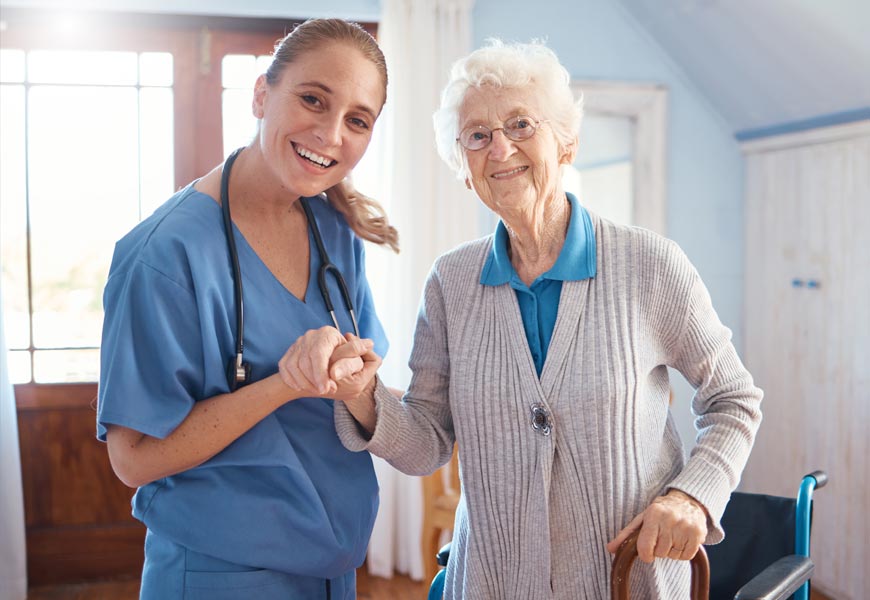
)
(13, 217)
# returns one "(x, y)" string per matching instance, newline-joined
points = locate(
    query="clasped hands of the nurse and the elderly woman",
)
(329, 364)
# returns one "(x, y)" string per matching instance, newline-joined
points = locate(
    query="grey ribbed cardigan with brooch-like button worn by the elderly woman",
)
(537, 511)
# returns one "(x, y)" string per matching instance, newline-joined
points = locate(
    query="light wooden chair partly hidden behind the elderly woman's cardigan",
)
(440, 499)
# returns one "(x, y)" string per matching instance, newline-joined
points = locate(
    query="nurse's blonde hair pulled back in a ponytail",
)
(365, 215)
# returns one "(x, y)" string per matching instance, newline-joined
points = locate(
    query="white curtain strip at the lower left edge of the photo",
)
(13, 568)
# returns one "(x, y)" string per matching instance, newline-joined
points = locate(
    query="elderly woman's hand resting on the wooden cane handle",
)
(673, 526)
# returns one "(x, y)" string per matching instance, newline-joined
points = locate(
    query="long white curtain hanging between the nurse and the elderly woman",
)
(433, 212)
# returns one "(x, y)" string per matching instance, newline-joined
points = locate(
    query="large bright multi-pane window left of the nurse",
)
(86, 152)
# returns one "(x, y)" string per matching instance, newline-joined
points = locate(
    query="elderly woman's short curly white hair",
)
(513, 65)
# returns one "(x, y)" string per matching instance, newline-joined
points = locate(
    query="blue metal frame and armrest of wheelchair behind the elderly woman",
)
(788, 575)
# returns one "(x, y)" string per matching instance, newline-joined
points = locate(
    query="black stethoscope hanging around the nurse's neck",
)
(238, 371)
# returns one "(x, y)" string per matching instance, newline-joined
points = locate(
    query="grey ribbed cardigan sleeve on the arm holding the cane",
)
(726, 406)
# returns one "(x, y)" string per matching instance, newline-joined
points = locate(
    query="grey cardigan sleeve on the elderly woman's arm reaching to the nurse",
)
(415, 433)
